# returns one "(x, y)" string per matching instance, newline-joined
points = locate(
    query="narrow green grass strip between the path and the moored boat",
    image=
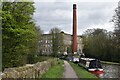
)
(81, 73)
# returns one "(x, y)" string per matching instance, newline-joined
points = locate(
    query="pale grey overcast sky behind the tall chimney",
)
(89, 15)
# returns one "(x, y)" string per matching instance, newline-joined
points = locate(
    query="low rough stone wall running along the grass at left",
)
(30, 70)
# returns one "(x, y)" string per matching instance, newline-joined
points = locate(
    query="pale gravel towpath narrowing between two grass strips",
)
(69, 72)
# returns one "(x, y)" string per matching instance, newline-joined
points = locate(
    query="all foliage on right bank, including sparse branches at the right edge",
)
(102, 44)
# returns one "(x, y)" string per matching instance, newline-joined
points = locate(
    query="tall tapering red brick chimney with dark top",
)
(74, 36)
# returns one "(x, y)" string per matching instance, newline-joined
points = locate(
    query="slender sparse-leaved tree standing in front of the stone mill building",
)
(57, 41)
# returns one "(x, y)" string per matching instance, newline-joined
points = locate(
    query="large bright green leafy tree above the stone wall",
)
(19, 34)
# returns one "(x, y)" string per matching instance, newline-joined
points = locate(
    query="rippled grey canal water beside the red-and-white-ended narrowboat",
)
(110, 71)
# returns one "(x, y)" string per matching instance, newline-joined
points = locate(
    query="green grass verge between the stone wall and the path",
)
(55, 71)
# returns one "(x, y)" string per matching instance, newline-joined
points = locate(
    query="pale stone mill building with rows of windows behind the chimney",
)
(45, 44)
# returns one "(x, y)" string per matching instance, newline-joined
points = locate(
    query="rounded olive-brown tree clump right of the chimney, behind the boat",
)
(99, 43)
